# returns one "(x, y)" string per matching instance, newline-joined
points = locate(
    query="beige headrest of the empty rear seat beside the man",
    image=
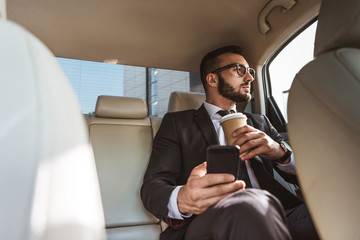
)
(120, 107)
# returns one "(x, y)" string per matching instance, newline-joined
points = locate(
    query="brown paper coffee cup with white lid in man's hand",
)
(230, 123)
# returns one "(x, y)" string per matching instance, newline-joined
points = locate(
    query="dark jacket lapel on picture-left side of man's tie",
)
(202, 119)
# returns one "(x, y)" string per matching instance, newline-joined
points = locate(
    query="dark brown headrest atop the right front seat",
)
(339, 26)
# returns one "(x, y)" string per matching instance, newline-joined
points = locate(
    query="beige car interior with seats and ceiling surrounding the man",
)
(69, 174)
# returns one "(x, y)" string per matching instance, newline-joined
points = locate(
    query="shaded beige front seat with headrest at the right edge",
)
(324, 117)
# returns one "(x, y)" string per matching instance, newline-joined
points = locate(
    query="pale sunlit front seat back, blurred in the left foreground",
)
(48, 182)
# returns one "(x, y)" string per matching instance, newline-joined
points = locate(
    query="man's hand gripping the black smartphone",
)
(204, 190)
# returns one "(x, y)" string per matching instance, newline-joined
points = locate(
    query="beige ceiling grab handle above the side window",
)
(286, 5)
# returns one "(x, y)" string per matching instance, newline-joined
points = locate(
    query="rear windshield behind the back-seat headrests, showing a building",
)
(91, 79)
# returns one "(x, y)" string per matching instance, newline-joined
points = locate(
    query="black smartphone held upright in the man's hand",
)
(223, 159)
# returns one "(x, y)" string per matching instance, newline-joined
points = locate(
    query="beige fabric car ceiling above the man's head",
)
(165, 34)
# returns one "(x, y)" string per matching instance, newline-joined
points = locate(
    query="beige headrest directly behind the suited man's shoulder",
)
(179, 101)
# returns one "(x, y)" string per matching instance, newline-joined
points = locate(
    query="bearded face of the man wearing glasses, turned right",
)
(231, 85)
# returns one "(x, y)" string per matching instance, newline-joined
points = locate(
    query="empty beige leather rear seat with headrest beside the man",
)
(121, 136)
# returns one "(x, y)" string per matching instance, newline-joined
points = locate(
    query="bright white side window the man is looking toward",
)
(287, 63)
